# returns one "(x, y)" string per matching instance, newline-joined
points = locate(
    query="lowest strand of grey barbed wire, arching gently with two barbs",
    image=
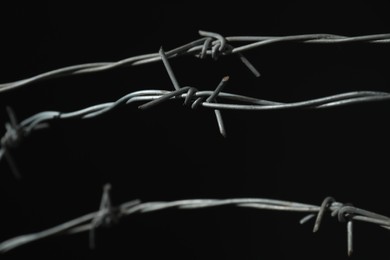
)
(108, 214)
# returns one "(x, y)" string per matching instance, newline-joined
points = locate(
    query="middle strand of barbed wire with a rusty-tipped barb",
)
(15, 132)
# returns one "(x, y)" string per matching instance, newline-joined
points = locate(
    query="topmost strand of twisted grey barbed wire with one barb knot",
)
(211, 44)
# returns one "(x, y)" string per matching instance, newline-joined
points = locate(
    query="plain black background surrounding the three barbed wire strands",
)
(171, 152)
